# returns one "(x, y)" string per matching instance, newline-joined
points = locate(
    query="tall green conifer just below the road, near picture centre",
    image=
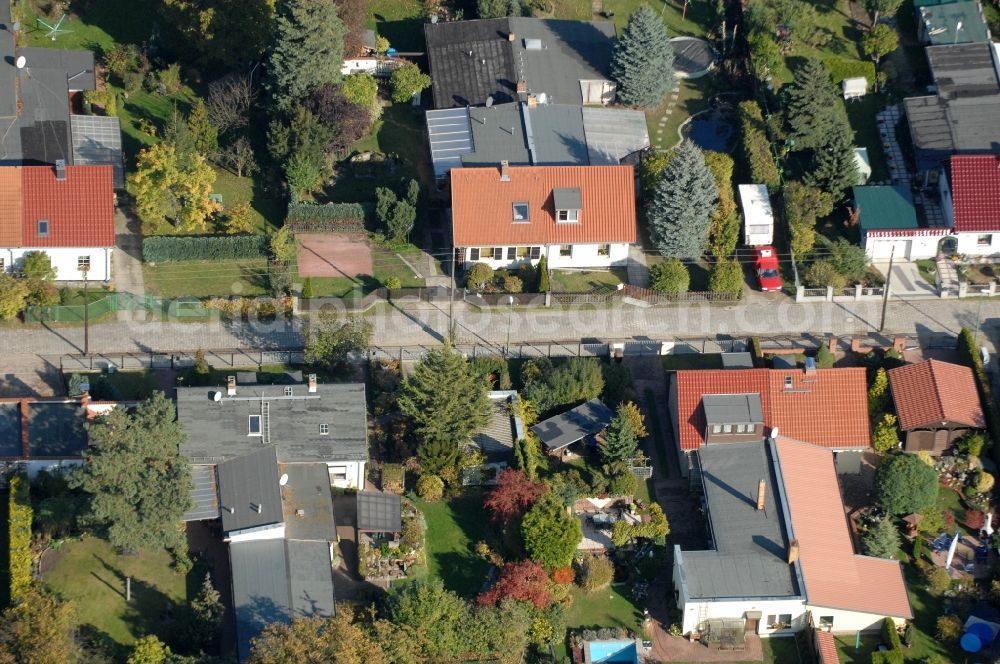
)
(447, 401)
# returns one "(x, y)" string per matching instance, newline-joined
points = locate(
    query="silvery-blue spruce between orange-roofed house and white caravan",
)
(683, 203)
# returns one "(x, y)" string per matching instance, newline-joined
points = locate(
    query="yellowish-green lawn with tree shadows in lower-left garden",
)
(90, 574)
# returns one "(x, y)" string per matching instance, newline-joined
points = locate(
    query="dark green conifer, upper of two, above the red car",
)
(815, 110)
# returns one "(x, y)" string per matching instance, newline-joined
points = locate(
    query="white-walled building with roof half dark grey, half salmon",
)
(782, 557)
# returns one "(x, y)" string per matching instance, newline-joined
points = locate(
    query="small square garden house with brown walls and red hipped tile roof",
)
(937, 403)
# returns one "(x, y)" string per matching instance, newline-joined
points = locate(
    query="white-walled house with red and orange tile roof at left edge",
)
(65, 211)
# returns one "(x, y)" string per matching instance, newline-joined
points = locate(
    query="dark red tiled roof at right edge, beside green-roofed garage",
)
(975, 192)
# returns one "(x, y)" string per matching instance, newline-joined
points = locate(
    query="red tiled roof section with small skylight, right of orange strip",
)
(79, 209)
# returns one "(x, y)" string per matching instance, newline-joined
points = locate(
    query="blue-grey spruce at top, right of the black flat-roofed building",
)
(643, 61)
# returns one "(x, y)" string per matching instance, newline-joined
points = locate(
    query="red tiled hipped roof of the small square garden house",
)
(932, 392)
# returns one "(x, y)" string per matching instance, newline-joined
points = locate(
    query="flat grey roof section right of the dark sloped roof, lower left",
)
(308, 490)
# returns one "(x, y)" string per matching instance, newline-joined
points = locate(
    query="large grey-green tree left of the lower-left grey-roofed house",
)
(138, 481)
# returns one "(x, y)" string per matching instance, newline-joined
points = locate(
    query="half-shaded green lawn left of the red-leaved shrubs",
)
(453, 528)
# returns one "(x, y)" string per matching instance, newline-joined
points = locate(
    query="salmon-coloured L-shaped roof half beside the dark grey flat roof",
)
(834, 576)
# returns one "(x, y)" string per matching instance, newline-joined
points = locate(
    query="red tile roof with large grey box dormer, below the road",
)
(826, 407)
